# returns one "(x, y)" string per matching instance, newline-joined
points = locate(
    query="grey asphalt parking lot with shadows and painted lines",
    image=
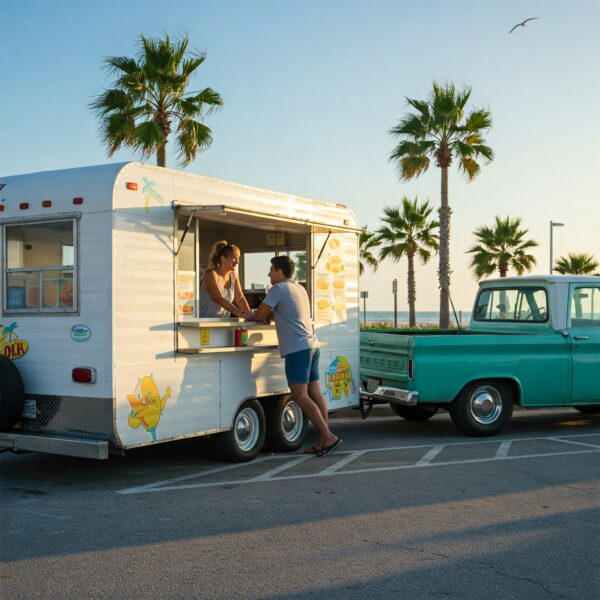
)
(401, 510)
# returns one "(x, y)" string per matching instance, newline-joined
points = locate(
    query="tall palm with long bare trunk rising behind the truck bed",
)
(440, 130)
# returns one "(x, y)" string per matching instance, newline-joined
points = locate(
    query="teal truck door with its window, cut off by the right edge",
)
(584, 329)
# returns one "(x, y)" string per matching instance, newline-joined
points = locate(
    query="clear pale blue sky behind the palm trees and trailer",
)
(311, 89)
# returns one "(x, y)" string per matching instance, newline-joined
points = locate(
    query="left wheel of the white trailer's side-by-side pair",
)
(247, 436)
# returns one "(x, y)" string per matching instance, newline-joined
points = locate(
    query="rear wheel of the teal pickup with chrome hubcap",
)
(482, 408)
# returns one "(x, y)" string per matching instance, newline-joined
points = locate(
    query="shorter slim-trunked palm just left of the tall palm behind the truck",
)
(409, 232)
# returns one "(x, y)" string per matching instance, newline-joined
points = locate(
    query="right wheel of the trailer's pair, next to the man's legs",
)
(286, 425)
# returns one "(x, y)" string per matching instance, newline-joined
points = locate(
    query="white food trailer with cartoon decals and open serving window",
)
(101, 345)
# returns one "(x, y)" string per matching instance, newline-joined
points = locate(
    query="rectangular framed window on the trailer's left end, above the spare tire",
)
(40, 267)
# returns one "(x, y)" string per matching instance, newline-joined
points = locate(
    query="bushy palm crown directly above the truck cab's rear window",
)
(502, 247)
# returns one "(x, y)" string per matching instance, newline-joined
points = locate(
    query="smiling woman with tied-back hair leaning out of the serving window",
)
(220, 291)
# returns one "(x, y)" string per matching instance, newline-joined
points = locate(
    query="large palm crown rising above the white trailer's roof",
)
(149, 97)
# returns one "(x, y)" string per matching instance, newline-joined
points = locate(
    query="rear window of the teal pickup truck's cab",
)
(512, 304)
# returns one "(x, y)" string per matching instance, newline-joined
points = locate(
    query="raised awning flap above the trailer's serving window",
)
(257, 220)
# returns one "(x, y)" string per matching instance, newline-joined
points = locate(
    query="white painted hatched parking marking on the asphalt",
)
(426, 461)
